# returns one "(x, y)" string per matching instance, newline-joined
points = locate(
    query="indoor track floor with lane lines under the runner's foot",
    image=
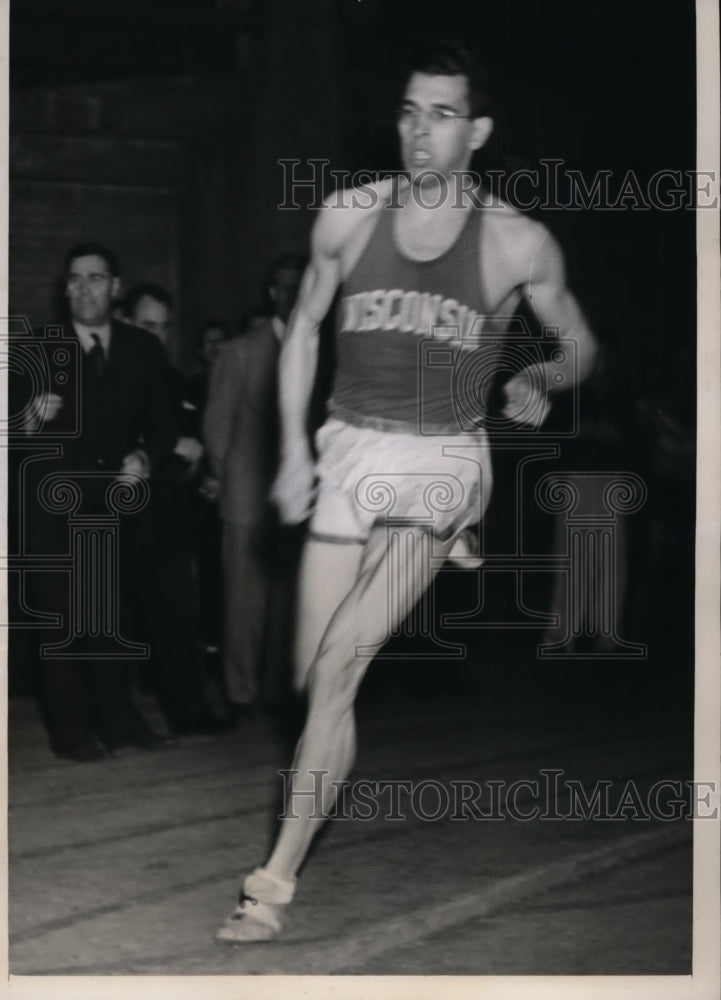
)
(127, 866)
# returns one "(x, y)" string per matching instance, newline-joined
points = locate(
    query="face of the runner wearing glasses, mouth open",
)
(435, 127)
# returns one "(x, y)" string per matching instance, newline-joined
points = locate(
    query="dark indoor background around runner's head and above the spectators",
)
(157, 128)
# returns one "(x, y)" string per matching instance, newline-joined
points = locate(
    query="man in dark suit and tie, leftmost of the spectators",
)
(124, 428)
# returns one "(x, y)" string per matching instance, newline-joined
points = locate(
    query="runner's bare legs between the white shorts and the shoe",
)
(362, 617)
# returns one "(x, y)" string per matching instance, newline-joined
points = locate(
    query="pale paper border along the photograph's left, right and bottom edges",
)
(704, 983)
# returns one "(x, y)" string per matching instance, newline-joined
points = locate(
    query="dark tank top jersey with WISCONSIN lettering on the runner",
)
(408, 348)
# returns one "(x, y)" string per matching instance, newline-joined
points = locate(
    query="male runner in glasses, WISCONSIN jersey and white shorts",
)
(415, 259)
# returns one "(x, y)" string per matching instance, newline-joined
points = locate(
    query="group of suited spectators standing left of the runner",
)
(182, 607)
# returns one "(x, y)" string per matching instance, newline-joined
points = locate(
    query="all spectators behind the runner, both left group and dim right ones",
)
(188, 597)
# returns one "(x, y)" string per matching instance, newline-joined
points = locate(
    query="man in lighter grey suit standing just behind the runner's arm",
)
(241, 436)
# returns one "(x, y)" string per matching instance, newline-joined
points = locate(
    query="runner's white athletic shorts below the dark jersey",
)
(440, 483)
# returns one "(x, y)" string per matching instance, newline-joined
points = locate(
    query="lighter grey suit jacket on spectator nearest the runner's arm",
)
(241, 424)
